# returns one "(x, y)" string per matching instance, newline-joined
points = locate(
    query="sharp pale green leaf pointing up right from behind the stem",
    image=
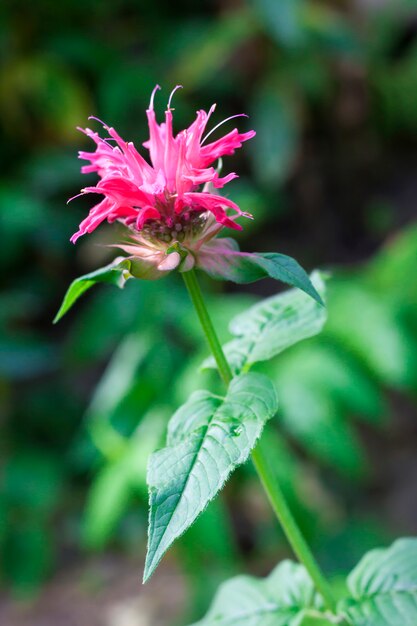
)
(273, 325)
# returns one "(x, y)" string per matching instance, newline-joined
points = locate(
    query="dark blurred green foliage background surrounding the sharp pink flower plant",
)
(331, 89)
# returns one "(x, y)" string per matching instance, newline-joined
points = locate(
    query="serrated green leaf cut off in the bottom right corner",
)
(384, 587)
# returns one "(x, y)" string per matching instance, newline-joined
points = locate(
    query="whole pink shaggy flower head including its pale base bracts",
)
(171, 199)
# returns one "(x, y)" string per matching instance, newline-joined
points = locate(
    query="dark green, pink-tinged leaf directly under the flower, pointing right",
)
(221, 259)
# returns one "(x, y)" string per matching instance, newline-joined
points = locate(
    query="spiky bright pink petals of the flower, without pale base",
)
(177, 184)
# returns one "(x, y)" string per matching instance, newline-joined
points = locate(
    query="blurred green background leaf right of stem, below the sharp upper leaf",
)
(321, 387)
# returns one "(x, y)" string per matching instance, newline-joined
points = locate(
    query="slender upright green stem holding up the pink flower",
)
(265, 472)
